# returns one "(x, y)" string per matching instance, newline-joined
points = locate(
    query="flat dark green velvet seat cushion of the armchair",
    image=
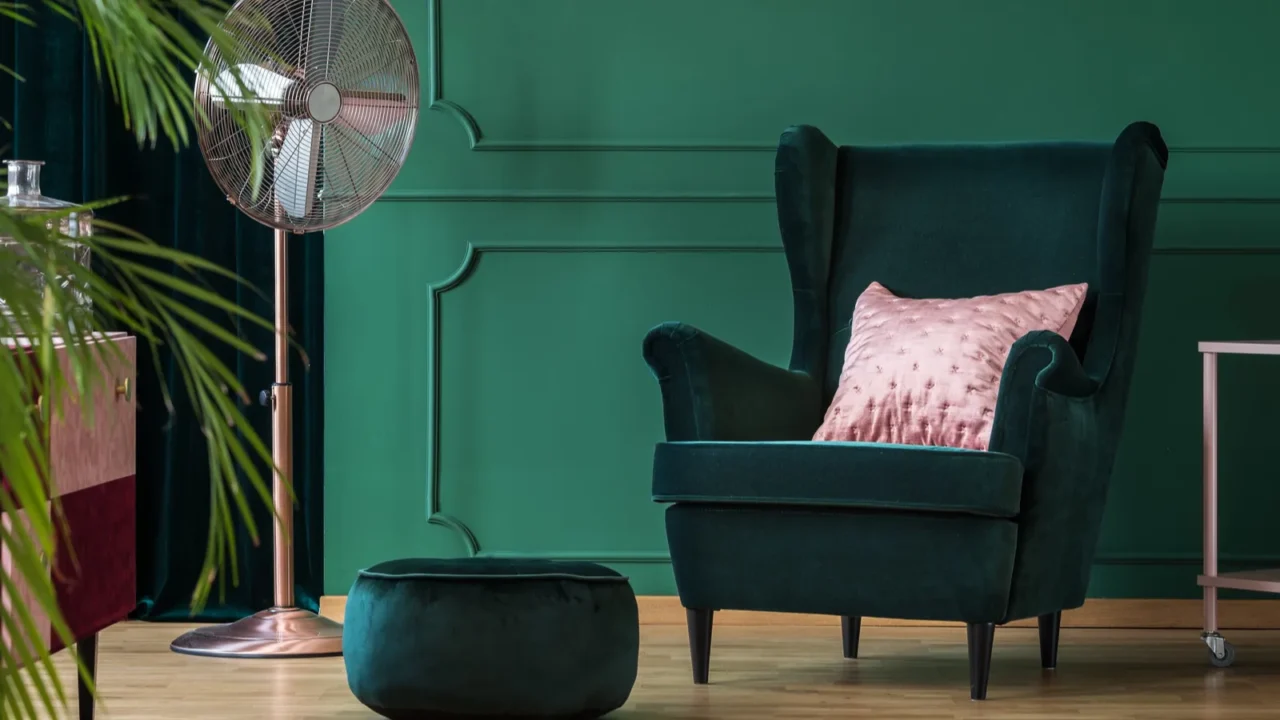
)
(840, 475)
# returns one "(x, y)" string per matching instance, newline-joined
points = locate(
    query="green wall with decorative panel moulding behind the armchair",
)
(591, 168)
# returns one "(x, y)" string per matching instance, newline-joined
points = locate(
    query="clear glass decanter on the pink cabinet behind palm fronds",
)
(22, 195)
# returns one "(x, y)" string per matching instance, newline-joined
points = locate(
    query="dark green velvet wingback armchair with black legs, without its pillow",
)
(764, 520)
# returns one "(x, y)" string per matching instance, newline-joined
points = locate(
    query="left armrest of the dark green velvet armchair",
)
(712, 391)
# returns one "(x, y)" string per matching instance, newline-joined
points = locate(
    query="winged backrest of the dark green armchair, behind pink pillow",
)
(968, 220)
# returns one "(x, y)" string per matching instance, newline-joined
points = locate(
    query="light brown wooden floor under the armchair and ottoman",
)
(775, 672)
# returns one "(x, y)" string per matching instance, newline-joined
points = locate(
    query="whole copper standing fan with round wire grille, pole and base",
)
(340, 80)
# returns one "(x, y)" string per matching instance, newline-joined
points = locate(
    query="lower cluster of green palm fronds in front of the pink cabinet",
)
(140, 299)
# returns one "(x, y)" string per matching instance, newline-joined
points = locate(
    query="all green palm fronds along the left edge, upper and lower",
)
(144, 53)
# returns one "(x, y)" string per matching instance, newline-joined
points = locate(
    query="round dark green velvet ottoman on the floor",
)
(484, 637)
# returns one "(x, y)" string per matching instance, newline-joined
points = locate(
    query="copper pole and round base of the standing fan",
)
(282, 631)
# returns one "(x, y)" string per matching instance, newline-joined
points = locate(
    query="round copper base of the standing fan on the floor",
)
(280, 632)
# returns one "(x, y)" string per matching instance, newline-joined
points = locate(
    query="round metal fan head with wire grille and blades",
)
(342, 88)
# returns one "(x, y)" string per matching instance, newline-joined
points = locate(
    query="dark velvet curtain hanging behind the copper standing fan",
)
(62, 115)
